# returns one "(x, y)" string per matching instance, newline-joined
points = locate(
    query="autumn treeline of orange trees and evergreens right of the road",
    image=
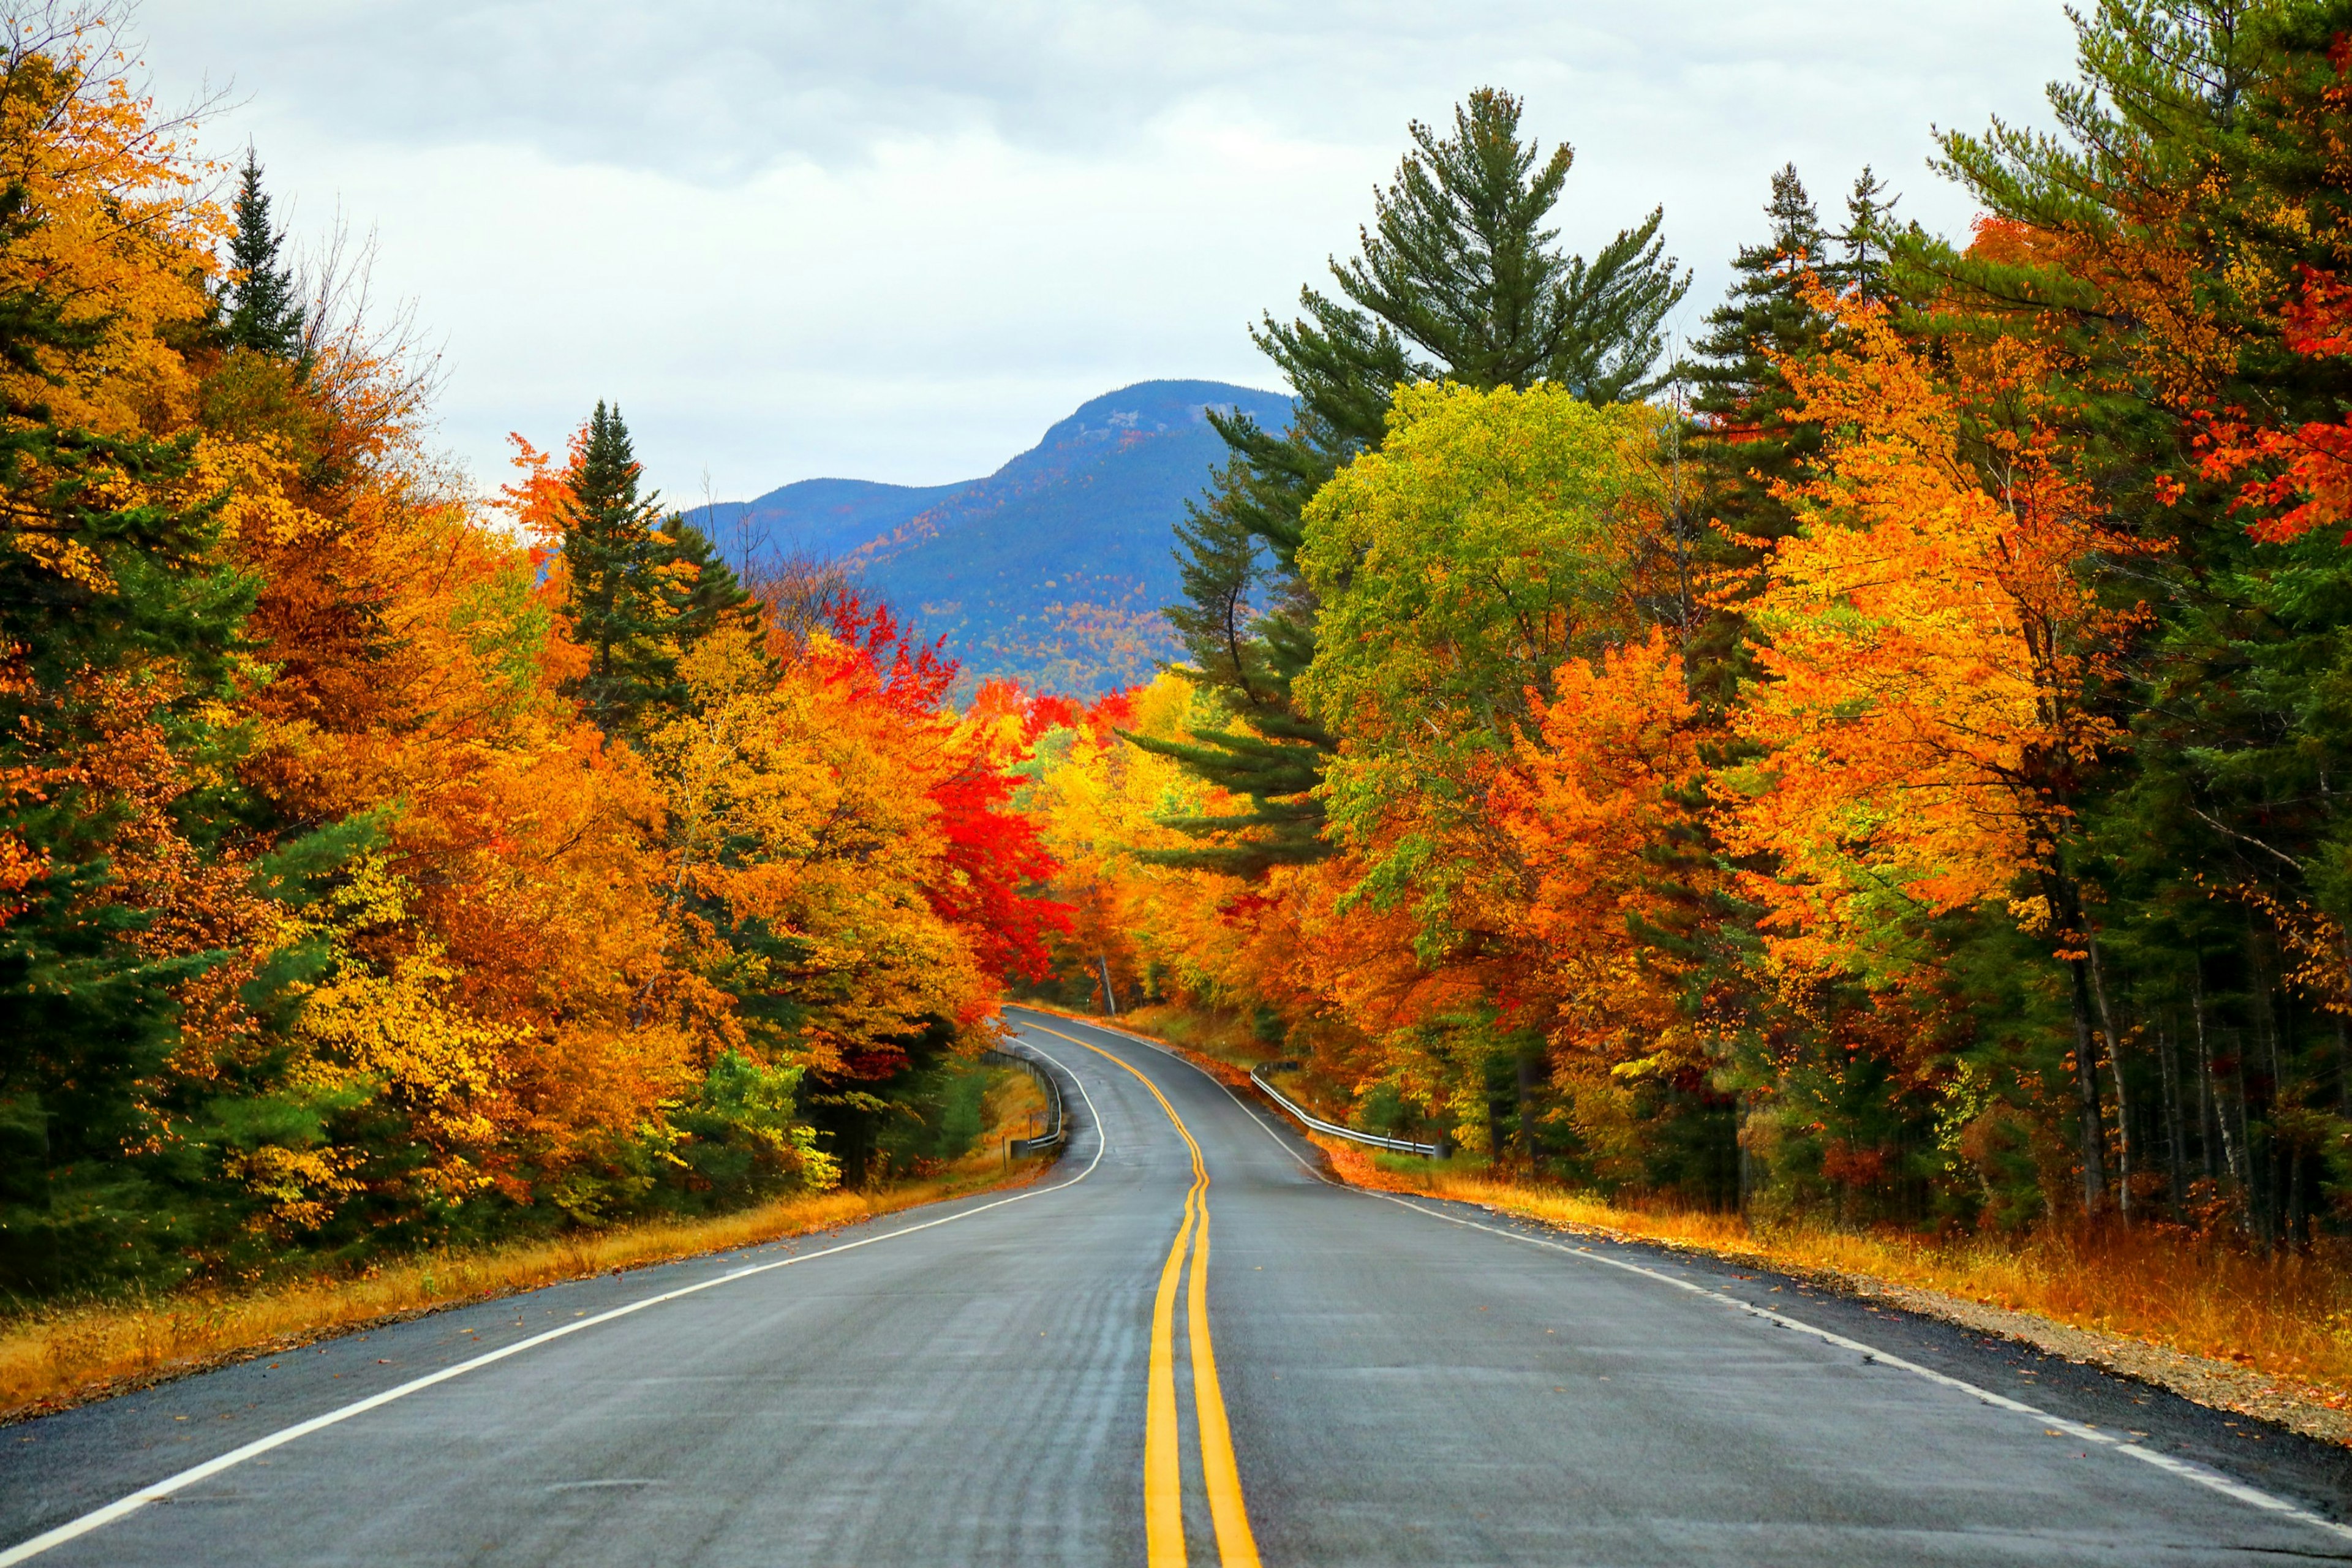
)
(1883, 763)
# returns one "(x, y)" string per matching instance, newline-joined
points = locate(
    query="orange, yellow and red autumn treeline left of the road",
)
(380, 869)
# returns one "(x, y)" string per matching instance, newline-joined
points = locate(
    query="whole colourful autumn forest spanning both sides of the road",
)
(1869, 763)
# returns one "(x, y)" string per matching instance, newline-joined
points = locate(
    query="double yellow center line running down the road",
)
(1163, 1463)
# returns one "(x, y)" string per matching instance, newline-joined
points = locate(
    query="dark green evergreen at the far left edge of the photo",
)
(140, 641)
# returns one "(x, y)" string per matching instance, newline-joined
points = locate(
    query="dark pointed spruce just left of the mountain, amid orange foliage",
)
(629, 589)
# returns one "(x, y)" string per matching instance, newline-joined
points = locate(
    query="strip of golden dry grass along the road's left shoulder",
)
(62, 1355)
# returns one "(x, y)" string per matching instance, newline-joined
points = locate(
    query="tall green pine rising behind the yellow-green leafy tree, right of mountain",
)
(1459, 281)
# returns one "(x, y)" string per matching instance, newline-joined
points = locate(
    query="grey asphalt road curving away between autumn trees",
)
(1062, 1376)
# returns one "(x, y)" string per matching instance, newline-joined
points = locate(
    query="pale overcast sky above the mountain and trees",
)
(895, 241)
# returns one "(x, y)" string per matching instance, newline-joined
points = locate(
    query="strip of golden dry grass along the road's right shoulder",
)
(2287, 1315)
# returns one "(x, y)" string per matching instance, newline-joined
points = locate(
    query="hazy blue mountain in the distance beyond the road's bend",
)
(1050, 570)
